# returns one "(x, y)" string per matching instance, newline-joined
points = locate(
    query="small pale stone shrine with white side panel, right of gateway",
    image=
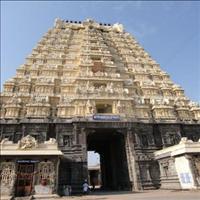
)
(177, 165)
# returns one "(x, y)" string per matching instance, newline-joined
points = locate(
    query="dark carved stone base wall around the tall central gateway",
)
(144, 140)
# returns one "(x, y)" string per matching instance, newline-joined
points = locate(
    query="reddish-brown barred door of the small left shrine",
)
(24, 181)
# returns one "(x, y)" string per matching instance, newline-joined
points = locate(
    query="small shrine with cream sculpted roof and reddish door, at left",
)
(29, 168)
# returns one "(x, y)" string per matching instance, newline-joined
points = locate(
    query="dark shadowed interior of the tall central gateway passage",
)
(110, 145)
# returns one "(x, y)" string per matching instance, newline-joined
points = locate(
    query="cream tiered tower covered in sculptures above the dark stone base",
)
(79, 69)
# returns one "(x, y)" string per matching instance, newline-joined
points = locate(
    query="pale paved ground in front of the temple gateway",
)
(150, 195)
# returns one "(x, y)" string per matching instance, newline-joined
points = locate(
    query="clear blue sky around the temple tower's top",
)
(168, 31)
